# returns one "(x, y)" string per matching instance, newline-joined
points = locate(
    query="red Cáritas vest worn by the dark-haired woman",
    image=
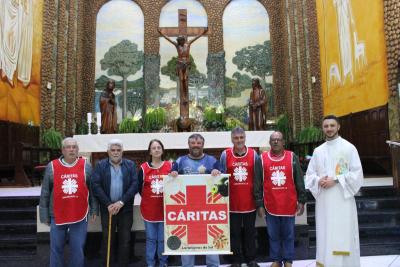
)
(152, 202)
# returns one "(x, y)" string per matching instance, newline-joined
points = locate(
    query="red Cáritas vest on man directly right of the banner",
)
(241, 181)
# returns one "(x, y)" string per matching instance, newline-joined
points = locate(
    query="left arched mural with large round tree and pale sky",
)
(119, 55)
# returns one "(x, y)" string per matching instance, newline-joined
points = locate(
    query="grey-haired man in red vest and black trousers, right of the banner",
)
(241, 163)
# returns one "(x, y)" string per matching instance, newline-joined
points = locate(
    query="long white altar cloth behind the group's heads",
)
(140, 141)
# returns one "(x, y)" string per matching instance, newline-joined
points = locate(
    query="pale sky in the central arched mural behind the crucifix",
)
(197, 17)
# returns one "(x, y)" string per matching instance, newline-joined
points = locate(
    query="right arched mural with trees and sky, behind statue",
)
(248, 55)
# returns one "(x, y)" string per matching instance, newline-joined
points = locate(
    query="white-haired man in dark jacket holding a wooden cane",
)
(115, 185)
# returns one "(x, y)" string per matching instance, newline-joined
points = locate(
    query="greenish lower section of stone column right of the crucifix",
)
(216, 75)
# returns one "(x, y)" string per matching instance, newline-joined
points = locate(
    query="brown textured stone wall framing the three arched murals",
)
(68, 59)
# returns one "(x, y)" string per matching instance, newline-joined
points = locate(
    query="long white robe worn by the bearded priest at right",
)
(338, 242)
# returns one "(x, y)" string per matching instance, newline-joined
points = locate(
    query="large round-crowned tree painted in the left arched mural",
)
(123, 59)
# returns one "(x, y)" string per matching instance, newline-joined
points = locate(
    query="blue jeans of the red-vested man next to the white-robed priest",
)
(281, 237)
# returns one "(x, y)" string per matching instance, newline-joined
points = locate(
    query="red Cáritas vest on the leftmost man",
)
(70, 193)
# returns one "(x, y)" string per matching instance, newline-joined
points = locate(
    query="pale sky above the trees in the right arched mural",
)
(246, 23)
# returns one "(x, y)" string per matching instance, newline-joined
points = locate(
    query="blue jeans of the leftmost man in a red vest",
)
(77, 238)
